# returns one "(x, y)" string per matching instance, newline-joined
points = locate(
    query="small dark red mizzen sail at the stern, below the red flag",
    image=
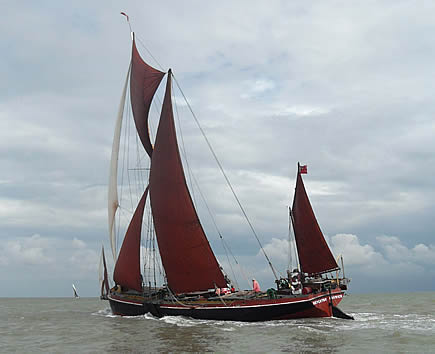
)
(315, 257)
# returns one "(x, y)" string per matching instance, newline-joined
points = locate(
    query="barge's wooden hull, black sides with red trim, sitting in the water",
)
(252, 310)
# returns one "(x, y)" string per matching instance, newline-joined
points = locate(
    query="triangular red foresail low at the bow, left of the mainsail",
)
(127, 267)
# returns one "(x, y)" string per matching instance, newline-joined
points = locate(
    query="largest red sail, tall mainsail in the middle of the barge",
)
(188, 260)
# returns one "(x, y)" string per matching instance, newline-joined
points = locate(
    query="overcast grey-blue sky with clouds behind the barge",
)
(344, 87)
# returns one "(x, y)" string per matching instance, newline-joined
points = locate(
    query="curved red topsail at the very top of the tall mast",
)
(144, 81)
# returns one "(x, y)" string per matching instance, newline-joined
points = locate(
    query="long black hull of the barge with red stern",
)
(246, 313)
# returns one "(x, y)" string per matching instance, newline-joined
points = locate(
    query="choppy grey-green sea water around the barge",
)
(383, 323)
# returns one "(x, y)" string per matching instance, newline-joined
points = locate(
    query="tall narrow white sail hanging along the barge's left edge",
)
(113, 179)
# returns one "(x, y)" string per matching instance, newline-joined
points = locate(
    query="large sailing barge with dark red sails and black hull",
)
(193, 276)
